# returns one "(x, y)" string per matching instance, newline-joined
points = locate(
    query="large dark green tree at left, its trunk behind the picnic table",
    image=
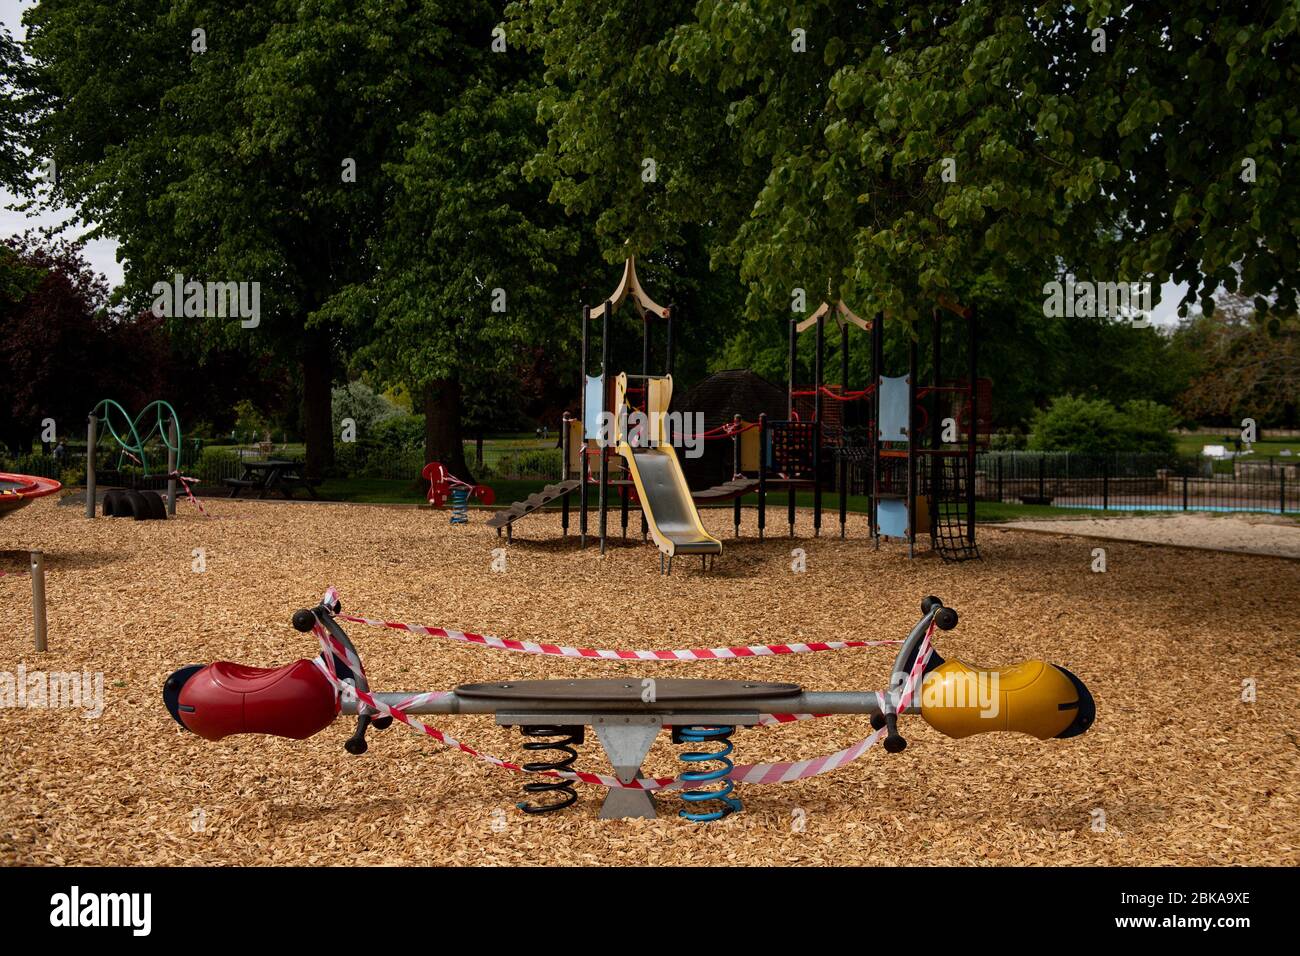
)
(220, 141)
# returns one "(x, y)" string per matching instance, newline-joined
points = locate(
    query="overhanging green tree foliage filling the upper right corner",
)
(918, 152)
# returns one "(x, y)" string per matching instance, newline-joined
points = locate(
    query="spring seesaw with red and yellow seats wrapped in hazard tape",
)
(956, 699)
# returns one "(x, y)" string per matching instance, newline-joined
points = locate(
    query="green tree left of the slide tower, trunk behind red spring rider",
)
(474, 267)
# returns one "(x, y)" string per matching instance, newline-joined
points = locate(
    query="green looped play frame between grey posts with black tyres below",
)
(135, 447)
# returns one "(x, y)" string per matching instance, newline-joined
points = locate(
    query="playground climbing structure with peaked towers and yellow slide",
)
(911, 447)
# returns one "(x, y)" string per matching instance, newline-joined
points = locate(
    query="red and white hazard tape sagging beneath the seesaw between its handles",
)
(742, 773)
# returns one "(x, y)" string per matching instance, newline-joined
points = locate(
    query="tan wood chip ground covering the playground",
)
(1182, 769)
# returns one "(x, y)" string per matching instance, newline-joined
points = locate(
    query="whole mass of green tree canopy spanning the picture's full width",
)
(427, 193)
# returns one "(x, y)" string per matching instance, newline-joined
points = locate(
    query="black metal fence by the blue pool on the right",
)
(1141, 483)
